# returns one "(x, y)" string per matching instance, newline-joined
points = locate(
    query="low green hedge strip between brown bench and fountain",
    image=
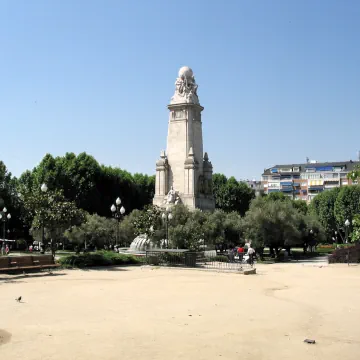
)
(99, 258)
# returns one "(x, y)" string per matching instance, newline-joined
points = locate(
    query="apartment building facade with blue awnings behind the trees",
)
(305, 181)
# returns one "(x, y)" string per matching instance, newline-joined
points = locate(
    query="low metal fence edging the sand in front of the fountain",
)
(202, 260)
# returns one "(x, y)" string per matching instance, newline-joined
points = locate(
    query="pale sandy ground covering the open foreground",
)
(152, 313)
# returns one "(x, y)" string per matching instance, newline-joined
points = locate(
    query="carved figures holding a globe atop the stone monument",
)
(185, 87)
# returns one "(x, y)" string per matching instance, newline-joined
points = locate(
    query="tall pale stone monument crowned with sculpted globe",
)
(184, 172)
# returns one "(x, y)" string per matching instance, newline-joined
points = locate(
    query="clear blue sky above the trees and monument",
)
(279, 80)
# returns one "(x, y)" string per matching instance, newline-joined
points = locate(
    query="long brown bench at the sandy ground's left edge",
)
(22, 263)
